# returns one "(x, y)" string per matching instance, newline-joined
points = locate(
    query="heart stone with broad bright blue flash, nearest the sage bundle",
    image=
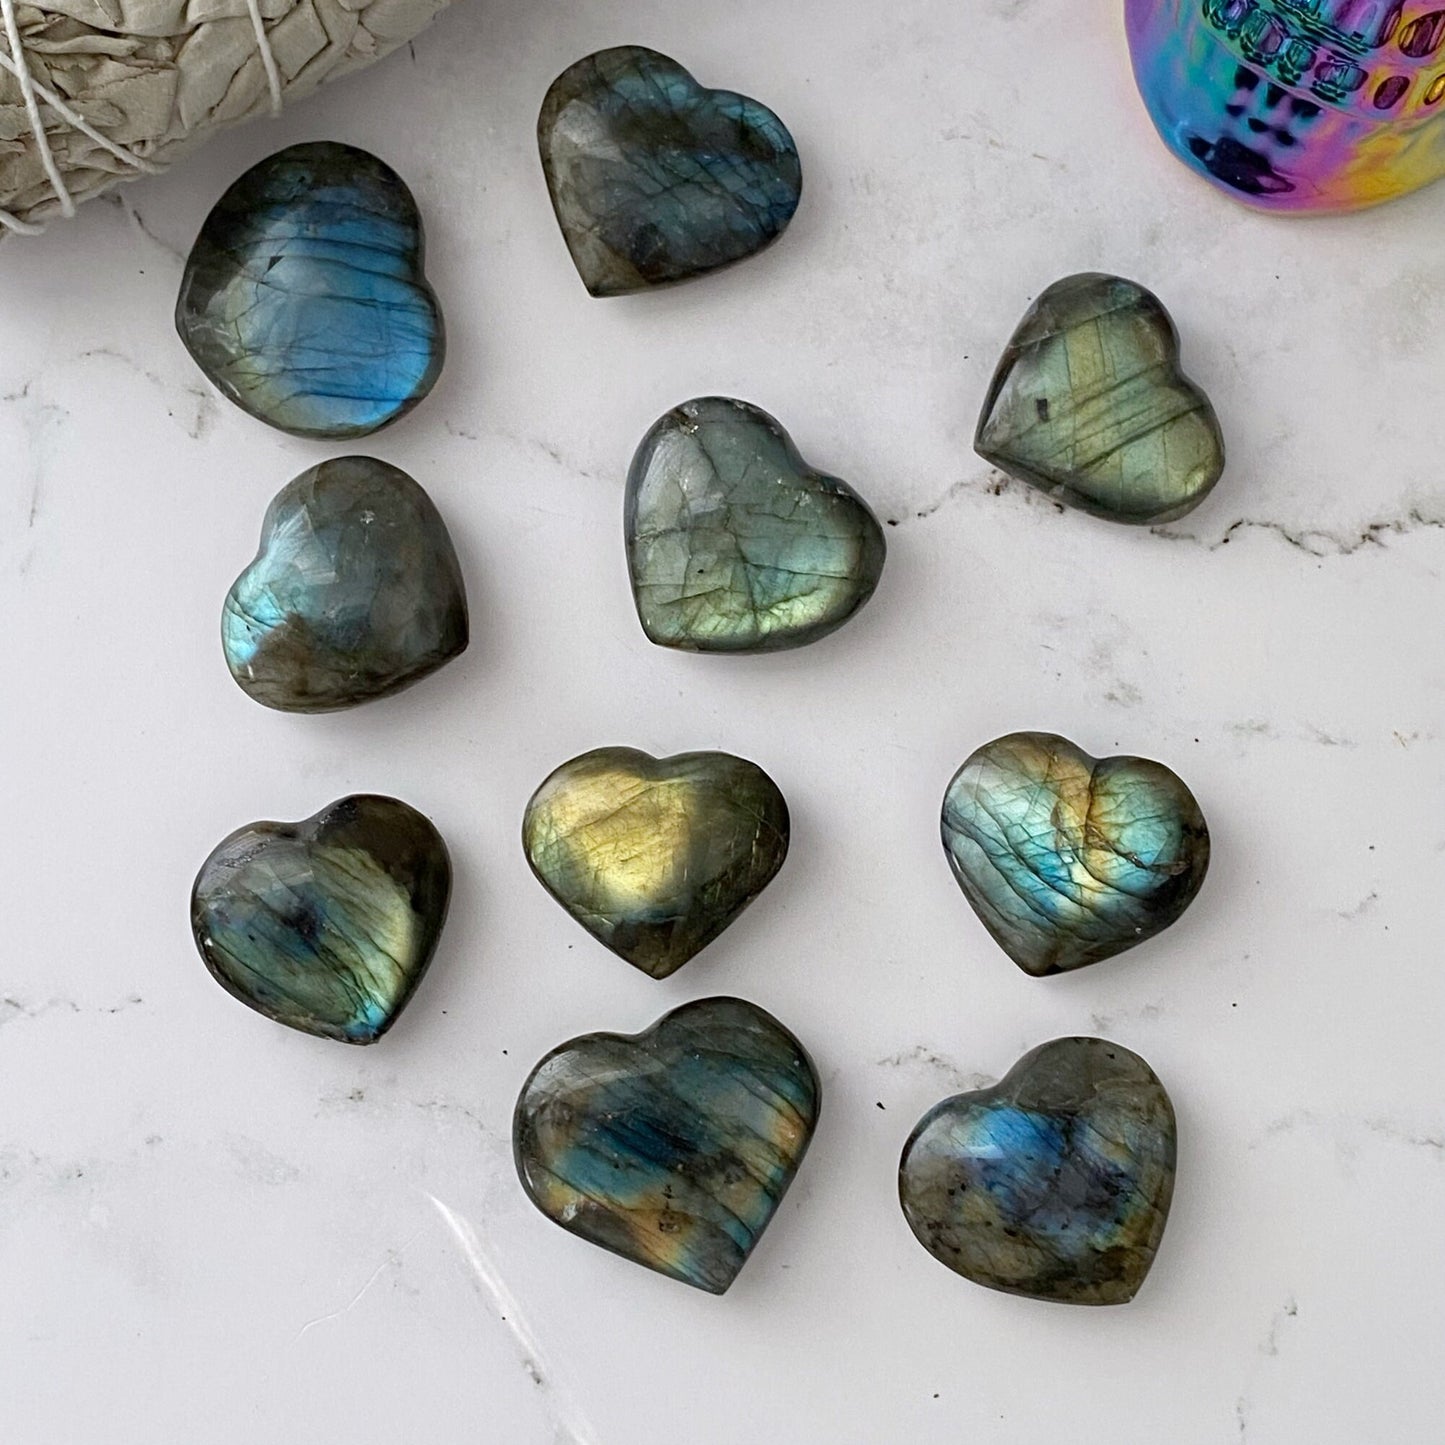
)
(304, 298)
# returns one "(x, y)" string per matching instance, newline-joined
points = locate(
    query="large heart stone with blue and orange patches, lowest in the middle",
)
(673, 1148)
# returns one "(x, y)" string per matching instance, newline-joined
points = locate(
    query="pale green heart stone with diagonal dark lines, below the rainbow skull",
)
(1089, 404)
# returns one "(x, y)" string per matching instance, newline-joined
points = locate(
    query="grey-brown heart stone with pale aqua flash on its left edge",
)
(356, 592)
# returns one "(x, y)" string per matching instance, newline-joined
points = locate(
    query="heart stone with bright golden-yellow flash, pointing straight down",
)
(657, 858)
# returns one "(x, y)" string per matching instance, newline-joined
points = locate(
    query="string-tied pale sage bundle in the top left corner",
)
(100, 92)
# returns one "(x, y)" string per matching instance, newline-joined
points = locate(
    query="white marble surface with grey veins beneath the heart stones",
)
(215, 1230)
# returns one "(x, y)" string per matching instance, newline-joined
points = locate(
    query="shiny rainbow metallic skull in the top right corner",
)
(1298, 105)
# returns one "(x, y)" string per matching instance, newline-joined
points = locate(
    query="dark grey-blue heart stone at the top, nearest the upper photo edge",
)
(657, 180)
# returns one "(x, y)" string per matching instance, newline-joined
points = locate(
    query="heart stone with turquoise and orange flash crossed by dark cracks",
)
(1070, 859)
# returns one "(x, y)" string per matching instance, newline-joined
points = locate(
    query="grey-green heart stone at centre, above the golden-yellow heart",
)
(735, 543)
